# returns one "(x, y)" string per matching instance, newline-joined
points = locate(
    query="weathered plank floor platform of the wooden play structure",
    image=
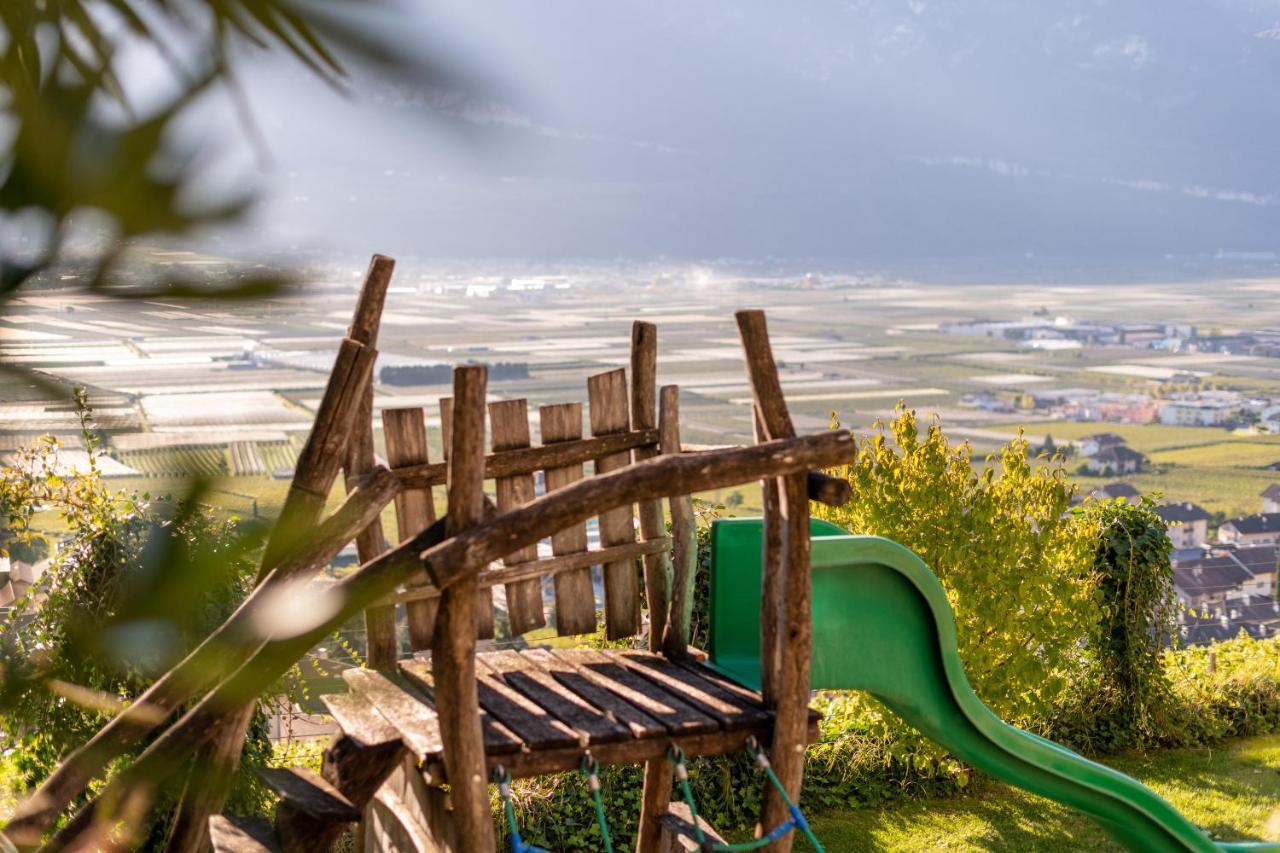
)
(543, 709)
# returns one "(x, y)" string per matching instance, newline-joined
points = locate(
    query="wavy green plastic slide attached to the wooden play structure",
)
(883, 624)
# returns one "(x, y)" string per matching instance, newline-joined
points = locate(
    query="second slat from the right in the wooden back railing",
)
(575, 595)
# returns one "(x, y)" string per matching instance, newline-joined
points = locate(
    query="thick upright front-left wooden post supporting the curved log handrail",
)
(454, 662)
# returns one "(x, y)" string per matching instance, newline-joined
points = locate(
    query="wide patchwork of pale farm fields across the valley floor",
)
(228, 390)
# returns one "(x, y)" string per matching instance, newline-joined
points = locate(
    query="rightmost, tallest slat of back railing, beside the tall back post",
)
(607, 395)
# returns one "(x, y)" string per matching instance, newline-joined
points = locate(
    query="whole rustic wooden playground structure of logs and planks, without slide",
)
(440, 713)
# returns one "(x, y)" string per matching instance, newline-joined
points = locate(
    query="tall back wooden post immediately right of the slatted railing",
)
(644, 416)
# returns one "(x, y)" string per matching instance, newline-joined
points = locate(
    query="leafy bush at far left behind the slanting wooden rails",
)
(135, 585)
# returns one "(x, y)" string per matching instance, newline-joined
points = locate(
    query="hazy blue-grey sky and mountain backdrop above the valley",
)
(865, 131)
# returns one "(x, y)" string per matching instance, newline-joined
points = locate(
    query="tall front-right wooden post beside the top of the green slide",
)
(796, 628)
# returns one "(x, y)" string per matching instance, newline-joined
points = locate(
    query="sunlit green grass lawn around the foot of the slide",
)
(1232, 790)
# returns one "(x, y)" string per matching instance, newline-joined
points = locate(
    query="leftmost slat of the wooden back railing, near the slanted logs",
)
(405, 431)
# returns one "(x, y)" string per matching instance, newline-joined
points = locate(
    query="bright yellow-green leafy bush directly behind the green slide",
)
(1017, 567)
